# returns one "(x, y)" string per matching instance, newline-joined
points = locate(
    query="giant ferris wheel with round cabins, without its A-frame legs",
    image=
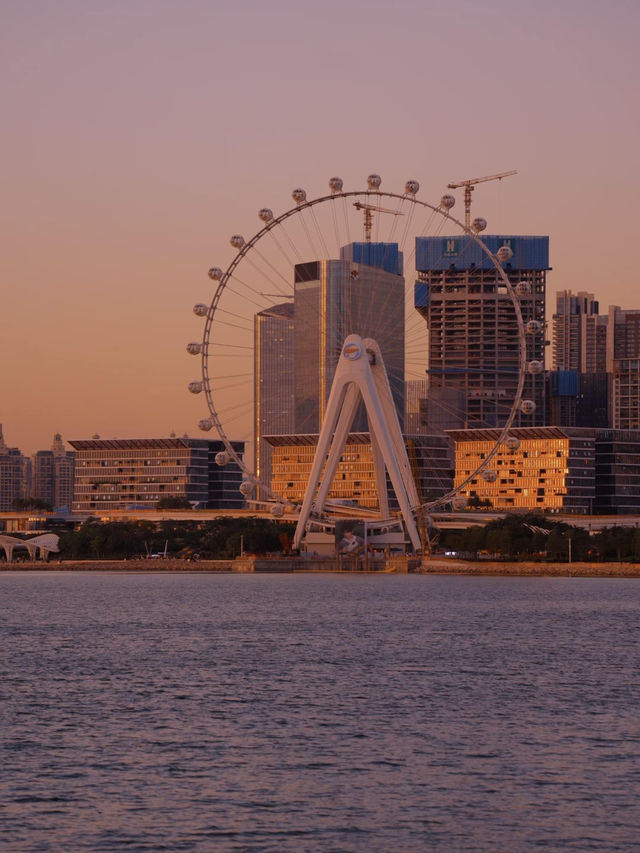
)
(264, 292)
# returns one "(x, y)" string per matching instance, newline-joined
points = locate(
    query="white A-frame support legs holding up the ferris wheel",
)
(361, 375)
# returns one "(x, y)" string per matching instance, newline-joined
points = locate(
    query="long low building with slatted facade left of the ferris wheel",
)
(137, 473)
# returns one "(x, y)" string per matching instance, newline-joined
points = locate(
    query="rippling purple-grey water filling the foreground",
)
(318, 713)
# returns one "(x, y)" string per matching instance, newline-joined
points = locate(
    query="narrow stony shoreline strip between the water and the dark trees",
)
(427, 567)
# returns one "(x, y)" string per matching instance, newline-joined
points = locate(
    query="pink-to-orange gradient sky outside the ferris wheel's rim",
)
(138, 135)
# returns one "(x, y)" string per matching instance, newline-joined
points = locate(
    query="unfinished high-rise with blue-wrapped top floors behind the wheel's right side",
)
(473, 332)
